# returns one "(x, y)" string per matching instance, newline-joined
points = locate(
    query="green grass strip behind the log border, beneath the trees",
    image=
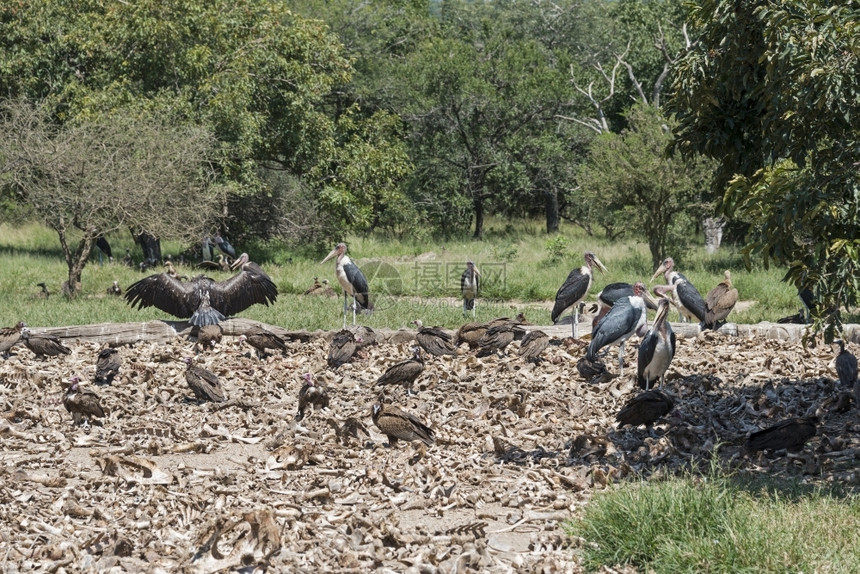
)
(522, 269)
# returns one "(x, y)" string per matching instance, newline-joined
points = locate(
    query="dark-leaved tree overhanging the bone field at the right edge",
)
(772, 92)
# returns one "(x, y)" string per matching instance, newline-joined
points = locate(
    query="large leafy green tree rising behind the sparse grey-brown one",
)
(251, 72)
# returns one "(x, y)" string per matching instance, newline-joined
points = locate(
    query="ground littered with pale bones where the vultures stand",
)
(165, 484)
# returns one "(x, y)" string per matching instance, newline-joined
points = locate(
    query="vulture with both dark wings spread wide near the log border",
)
(203, 300)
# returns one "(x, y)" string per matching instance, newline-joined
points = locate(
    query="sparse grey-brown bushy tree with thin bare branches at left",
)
(93, 178)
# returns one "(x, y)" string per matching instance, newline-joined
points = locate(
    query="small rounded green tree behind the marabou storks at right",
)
(630, 185)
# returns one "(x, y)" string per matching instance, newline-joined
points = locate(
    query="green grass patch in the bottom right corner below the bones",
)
(720, 525)
